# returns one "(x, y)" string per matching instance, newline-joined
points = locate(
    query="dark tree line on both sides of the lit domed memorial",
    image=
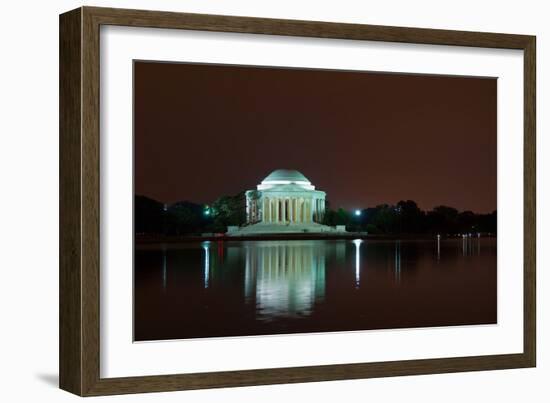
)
(405, 217)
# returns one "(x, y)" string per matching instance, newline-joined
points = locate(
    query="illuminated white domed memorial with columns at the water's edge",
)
(284, 202)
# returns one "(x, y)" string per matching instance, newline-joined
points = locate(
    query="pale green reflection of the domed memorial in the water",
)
(284, 278)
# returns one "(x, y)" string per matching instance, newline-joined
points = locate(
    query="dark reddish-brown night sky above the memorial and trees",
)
(202, 131)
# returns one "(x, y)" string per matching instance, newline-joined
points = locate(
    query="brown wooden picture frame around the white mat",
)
(79, 201)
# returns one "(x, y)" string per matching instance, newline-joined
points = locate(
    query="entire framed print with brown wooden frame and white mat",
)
(251, 201)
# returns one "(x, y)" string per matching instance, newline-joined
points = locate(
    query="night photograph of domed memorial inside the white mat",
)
(273, 200)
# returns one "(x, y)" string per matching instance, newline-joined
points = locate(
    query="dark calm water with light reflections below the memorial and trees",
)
(237, 288)
